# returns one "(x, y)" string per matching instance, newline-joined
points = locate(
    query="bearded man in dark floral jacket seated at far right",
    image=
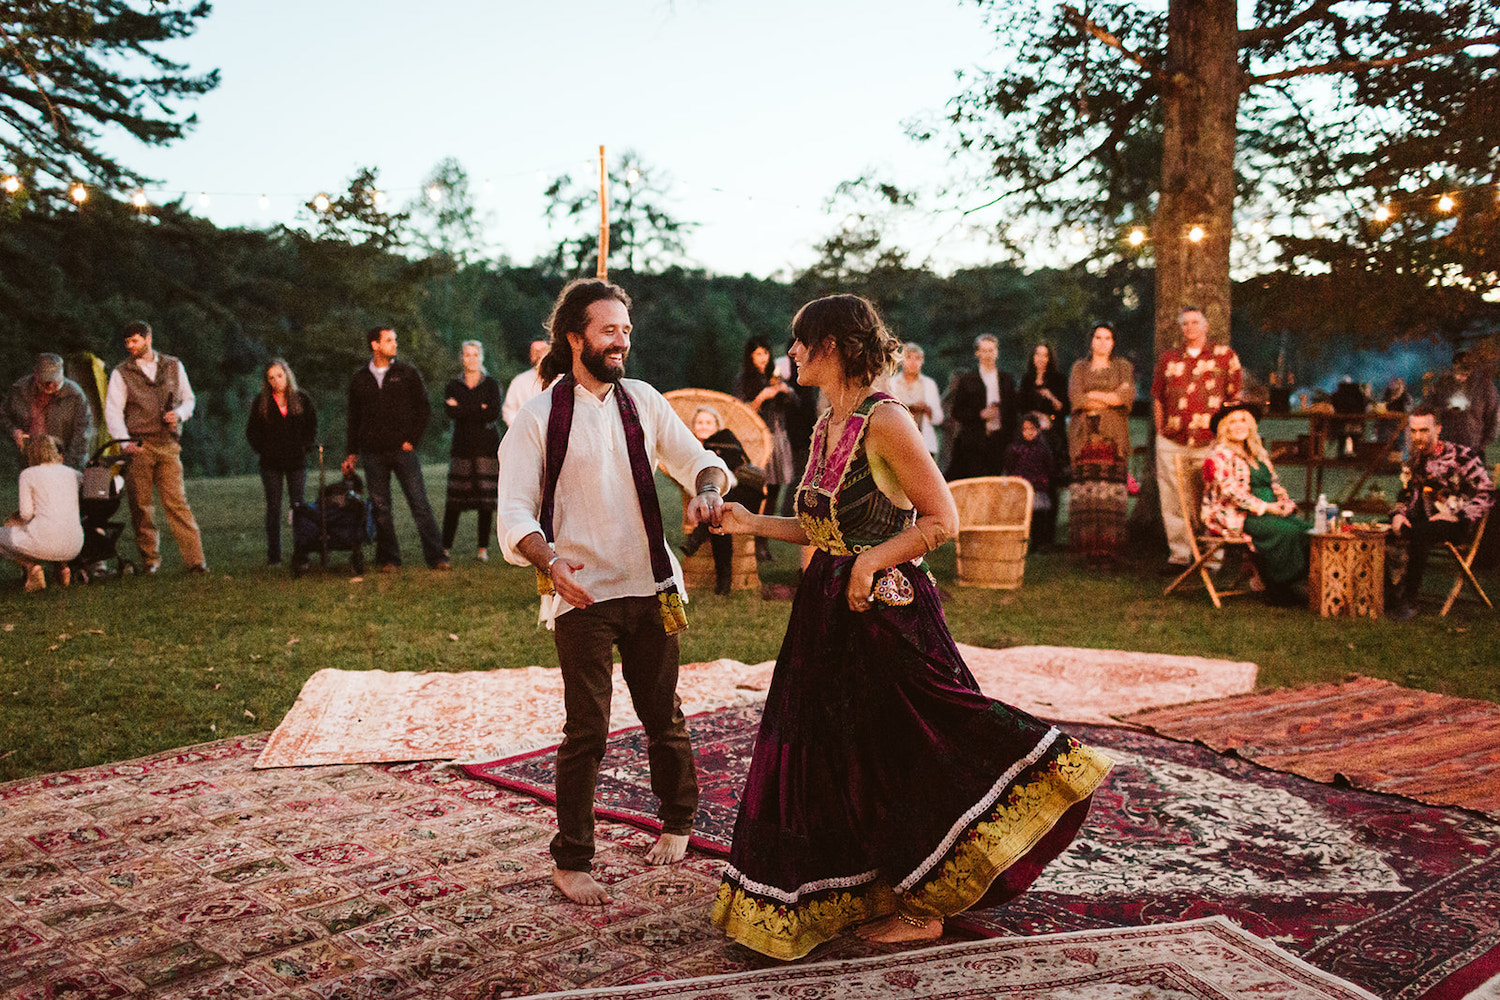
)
(1445, 491)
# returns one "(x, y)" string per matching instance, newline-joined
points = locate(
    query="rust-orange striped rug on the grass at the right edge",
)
(1366, 732)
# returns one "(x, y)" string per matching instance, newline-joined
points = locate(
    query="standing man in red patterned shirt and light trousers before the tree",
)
(1190, 385)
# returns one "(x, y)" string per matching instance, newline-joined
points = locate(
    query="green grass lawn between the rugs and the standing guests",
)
(140, 665)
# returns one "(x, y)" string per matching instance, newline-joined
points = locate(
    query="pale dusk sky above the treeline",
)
(755, 110)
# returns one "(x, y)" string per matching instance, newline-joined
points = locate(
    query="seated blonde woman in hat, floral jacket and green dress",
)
(1241, 494)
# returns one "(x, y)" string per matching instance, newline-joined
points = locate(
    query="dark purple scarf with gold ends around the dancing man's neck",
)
(560, 427)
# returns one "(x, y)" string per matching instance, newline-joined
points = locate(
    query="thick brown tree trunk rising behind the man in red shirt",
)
(1198, 166)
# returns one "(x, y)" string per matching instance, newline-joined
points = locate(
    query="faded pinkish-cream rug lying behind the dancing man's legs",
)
(379, 716)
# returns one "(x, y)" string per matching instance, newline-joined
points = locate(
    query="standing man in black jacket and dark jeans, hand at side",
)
(389, 412)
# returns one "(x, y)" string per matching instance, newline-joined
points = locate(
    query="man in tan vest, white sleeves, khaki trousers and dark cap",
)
(149, 400)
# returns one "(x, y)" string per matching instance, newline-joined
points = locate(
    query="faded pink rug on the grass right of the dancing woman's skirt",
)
(1067, 684)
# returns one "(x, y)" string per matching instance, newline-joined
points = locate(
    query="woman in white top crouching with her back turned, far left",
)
(49, 527)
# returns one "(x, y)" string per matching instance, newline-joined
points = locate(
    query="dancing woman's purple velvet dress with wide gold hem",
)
(881, 774)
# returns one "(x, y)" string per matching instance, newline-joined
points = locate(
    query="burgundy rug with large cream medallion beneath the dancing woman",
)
(1397, 897)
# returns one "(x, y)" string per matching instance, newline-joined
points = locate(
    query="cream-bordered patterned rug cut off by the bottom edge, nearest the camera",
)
(1199, 960)
